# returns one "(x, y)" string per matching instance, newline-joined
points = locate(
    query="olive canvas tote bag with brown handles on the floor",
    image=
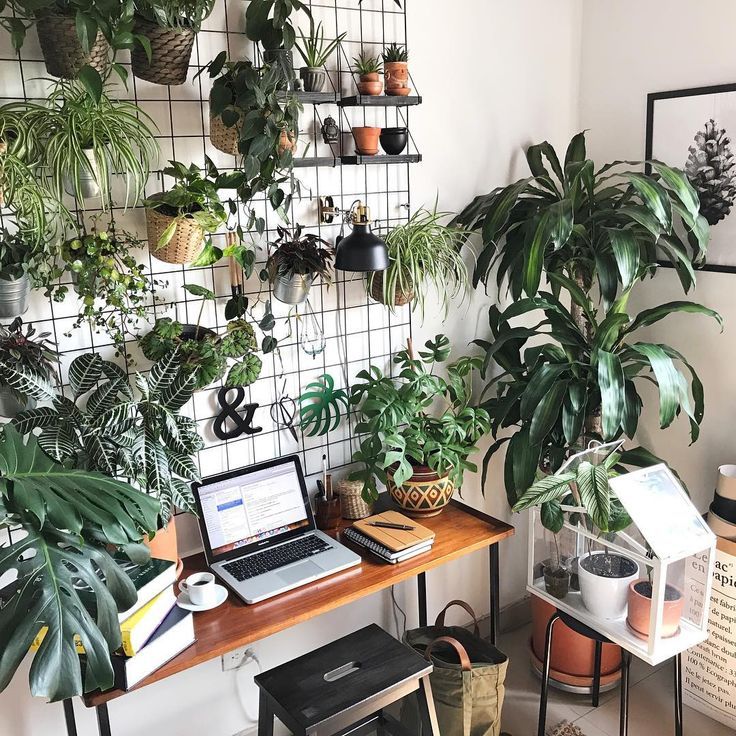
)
(467, 681)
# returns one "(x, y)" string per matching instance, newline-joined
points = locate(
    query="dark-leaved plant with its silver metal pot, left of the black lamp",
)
(296, 261)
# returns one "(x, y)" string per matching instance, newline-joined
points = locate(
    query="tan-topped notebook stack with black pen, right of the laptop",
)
(391, 536)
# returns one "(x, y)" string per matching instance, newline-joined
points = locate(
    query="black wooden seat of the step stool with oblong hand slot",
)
(361, 669)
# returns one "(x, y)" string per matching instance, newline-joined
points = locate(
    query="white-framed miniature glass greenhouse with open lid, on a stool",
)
(647, 587)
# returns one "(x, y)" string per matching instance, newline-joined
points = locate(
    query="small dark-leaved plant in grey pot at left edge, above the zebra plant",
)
(27, 368)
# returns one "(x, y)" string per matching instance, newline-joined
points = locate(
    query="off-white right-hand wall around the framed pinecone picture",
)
(629, 49)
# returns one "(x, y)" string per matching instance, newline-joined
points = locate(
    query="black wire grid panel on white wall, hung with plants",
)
(358, 332)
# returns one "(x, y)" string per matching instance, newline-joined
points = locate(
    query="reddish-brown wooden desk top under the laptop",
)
(459, 530)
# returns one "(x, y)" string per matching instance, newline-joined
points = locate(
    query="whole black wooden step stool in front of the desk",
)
(344, 686)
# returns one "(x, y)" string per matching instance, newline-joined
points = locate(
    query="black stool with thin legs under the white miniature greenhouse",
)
(600, 640)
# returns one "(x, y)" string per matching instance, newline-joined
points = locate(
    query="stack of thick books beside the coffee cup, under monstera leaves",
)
(153, 631)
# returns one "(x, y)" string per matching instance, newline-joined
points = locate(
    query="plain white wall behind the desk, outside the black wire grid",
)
(496, 76)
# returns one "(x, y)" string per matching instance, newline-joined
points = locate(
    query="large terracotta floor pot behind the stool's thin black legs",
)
(572, 655)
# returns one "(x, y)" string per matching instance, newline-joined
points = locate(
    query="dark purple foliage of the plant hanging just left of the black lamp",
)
(297, 254)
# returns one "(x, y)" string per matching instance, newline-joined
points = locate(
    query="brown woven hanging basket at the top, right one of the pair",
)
(170, 53)
